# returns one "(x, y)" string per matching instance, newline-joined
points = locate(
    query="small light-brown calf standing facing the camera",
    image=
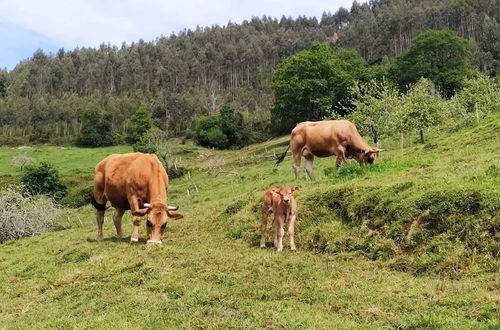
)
(279, 201)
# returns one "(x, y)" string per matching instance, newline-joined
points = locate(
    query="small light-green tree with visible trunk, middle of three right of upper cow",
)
(422, 107)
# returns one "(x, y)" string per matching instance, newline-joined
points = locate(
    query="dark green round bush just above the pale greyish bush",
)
(43, 179)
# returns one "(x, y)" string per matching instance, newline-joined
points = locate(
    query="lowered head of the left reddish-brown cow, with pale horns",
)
(157, 220)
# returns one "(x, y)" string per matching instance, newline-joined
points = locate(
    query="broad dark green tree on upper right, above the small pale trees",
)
(441, 56)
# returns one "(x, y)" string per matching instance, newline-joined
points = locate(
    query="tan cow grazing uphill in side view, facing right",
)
(326, 138)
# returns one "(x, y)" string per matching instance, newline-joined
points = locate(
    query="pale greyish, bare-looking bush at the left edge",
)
(23, 216)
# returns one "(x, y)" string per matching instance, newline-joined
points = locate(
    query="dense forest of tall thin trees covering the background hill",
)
(194, 72)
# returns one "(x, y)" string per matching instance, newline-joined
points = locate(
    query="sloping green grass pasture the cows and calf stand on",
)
(411, 242)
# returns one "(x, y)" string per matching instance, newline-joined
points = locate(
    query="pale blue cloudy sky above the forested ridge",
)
(28, 25)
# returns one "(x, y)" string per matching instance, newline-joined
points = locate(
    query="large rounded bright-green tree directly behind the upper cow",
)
(311, 84)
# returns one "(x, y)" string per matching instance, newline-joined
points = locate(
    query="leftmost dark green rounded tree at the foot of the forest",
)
(96, 128)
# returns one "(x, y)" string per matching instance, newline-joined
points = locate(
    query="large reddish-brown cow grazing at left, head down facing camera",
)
(136, 182)
